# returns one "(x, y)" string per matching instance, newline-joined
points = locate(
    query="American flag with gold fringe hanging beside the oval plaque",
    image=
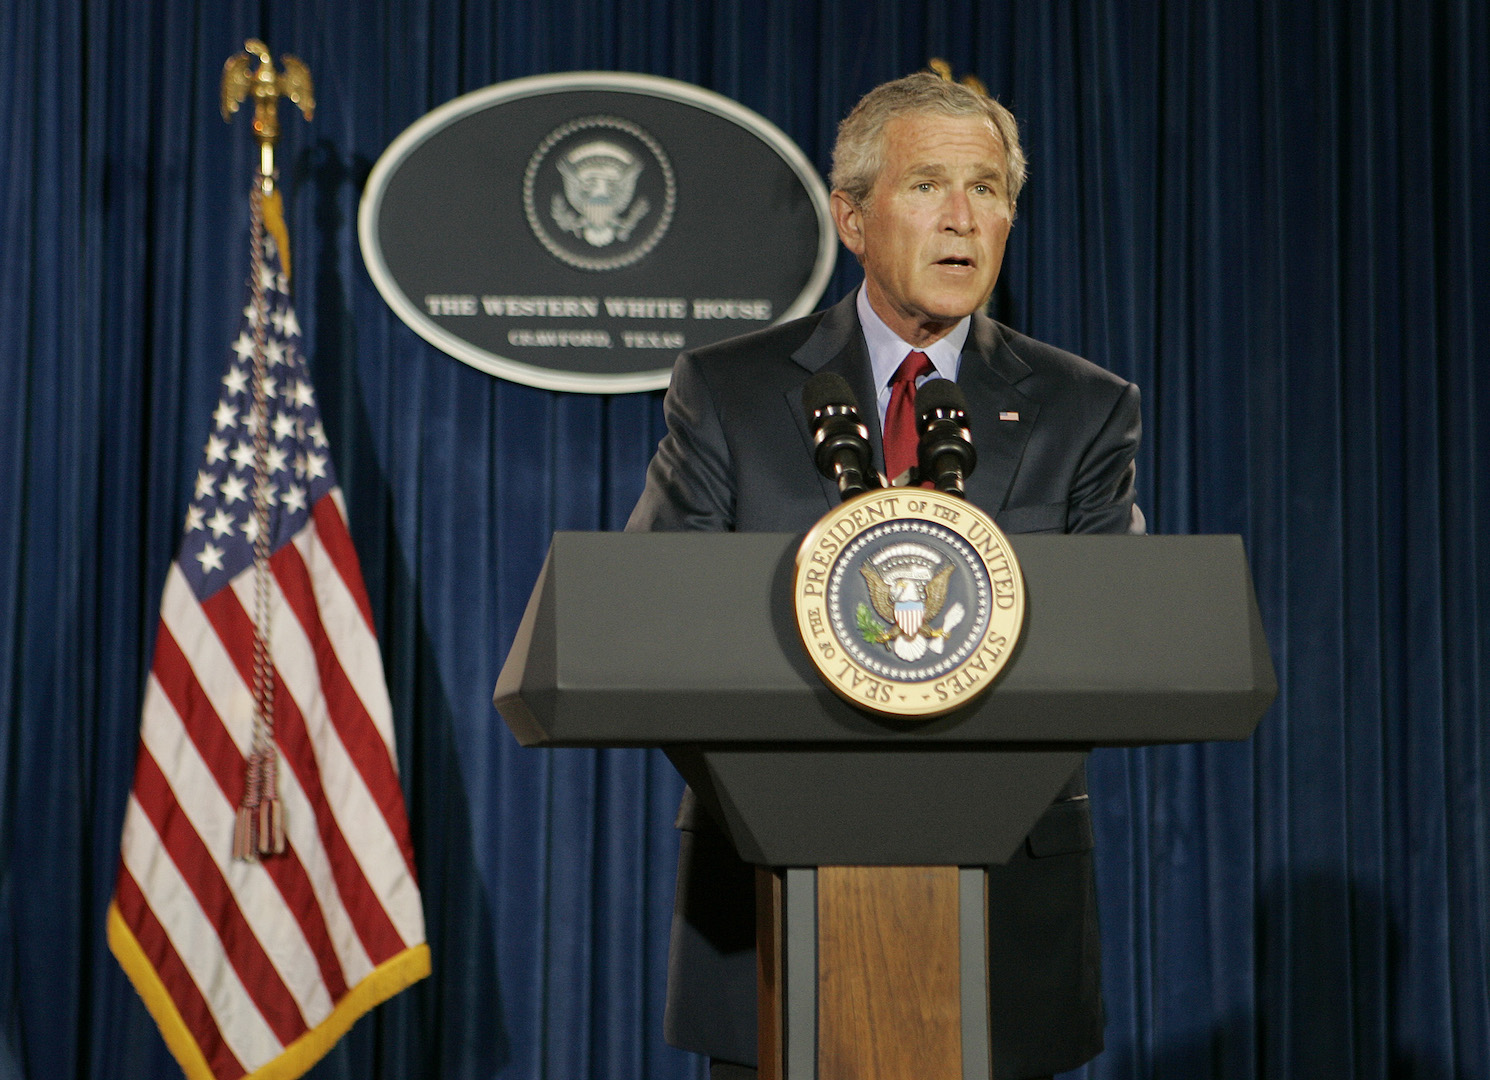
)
(256, 968)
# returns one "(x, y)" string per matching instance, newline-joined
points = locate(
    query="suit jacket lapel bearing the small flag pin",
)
(987, 376)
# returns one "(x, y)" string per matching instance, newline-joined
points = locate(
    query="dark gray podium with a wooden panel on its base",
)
(871, 833)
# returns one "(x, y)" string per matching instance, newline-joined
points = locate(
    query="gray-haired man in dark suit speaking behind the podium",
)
(926, 178)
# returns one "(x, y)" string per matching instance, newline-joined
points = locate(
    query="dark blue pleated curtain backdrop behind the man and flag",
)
(1272, 215)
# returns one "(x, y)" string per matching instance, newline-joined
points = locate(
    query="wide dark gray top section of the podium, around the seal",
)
(646, 640)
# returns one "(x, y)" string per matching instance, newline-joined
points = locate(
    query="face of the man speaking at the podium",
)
(933, 229)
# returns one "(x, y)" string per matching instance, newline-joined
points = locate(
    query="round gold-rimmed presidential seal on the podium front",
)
(908, 601)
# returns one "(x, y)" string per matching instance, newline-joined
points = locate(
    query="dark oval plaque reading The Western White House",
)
(574, 232)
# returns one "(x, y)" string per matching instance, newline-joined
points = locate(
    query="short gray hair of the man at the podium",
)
(860, 150)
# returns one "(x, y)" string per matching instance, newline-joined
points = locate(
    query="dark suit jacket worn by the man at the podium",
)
(738, 457)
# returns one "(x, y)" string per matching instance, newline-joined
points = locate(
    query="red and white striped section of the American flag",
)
(254, 956)
